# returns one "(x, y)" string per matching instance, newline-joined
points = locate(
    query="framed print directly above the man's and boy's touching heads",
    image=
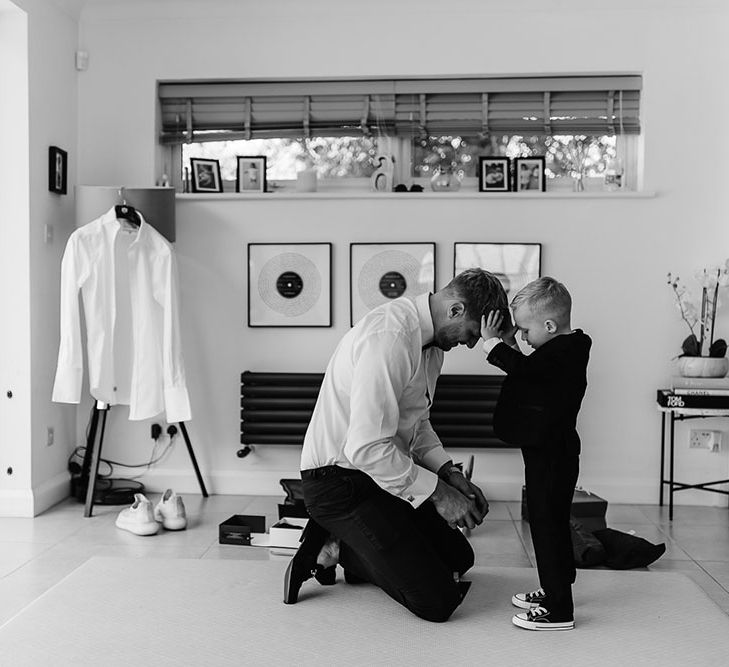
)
(514, 264)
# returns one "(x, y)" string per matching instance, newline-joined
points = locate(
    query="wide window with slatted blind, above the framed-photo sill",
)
(342, 125)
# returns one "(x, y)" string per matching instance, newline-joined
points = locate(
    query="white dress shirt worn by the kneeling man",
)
(373, 409)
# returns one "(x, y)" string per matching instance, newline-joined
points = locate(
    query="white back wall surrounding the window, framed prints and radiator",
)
(613, 254)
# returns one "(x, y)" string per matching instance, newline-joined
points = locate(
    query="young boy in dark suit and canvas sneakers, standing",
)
(537, 411)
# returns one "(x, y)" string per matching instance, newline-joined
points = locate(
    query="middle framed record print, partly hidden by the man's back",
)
(380, 272)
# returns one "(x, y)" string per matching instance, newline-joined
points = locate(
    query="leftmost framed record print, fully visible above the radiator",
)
(289, 285)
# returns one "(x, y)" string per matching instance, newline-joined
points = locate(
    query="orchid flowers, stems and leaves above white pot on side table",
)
(711, 281)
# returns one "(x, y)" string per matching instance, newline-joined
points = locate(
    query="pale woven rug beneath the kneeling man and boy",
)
(119, 611)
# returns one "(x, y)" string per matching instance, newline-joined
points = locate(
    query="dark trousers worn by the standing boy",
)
(550, 478)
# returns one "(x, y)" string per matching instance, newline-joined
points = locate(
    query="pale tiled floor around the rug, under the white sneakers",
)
(37, 553)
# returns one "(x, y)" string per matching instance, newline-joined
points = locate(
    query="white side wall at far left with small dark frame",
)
(37, 44)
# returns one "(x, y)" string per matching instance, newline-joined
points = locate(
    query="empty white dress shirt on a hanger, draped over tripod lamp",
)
(128, 282)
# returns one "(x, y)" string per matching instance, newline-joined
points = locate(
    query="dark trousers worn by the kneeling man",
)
(411, 553)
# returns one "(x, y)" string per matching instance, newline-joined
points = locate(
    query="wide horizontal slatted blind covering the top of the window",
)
(567, 105)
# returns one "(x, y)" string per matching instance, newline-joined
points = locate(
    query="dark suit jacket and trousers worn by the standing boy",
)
(537, 410)
